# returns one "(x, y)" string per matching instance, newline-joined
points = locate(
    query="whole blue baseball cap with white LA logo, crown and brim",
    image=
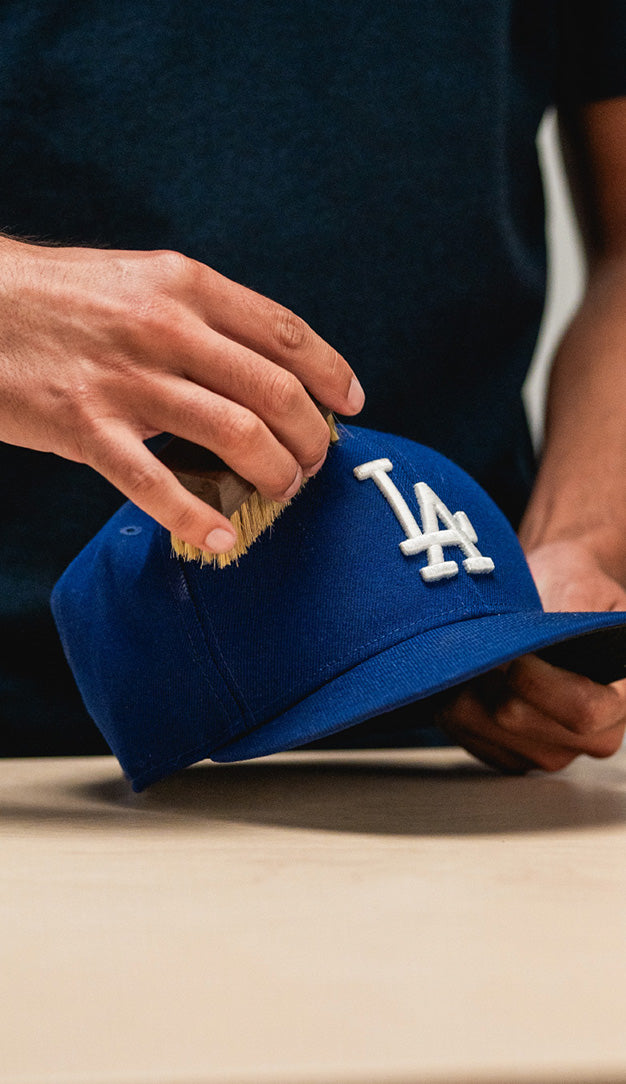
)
(390, 578)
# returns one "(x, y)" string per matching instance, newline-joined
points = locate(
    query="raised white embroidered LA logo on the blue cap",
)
(431, 539)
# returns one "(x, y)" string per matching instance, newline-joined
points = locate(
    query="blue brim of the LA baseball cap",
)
(592, 644)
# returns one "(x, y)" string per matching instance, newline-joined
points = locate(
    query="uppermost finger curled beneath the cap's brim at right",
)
(581, 705)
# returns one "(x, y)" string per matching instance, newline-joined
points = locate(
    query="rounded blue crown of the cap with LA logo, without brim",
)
(171, 656)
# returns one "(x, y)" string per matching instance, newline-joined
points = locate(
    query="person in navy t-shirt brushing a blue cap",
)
(213, 212)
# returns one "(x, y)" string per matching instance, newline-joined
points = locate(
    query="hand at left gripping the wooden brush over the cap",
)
(106, 349)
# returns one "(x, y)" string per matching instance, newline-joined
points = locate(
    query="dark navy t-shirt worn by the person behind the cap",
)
(372, 166)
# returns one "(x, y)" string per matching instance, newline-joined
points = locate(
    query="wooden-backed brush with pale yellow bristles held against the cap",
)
(211, 480)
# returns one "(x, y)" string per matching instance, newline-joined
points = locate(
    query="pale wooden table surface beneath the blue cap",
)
(313, 919)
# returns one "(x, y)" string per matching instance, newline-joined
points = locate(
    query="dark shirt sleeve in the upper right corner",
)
(593, 50)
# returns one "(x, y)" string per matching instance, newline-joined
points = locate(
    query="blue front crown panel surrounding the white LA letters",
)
(336, 580)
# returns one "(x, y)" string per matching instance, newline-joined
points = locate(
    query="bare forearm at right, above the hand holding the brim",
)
(581, 488)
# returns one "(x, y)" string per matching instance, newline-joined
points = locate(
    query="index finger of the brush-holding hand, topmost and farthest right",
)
(277, 333)
